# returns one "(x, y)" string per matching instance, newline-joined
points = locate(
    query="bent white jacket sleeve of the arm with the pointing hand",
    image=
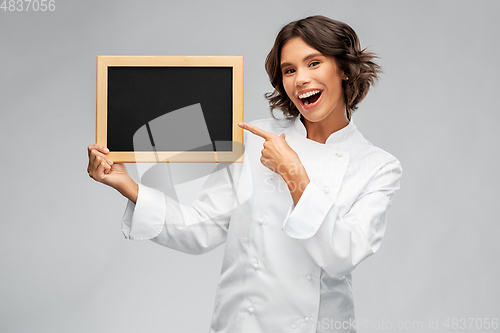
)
(339, 242)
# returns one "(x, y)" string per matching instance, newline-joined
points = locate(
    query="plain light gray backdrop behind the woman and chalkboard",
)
(65, 265)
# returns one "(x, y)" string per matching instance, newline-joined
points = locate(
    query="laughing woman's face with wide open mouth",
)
(312, 81)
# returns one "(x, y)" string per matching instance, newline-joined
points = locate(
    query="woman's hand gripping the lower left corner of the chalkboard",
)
(102, 169)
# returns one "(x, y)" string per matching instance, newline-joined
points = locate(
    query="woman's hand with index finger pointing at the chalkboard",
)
(277, 155)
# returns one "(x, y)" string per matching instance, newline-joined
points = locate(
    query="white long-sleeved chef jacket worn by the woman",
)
(286, 268)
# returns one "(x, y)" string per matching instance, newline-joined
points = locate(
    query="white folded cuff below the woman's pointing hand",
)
(305, 219)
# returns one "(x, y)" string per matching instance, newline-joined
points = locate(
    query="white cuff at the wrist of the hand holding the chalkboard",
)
(145, 219)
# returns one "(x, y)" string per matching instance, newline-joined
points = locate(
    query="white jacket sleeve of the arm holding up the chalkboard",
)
(193, 229)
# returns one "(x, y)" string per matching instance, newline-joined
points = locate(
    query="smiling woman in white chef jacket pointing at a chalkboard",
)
(311, 197)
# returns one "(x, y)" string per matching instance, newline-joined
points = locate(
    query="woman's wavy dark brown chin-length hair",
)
(331, 38)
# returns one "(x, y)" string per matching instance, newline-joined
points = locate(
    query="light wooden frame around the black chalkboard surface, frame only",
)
(236, 62)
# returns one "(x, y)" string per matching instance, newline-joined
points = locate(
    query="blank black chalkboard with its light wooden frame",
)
(170, 108)
